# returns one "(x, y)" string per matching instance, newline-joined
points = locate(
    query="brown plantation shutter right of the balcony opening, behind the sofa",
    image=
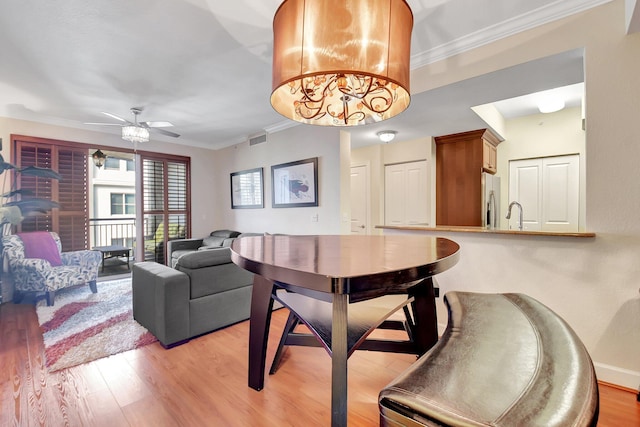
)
(166, 201)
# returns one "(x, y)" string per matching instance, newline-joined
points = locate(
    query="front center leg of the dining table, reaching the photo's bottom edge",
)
(339, 361)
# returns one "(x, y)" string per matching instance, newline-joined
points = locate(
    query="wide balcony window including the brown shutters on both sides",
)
(162, 197)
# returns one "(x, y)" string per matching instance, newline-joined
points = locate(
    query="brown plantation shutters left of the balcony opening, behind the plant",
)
(71, 220)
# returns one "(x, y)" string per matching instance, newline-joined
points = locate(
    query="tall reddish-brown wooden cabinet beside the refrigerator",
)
(460, 160)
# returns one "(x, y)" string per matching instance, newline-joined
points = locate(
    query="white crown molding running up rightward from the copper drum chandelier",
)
(543, 15)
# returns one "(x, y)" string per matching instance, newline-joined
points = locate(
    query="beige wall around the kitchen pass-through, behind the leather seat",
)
(592, 283)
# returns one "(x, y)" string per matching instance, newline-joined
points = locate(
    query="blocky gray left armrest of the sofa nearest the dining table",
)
(161, 301)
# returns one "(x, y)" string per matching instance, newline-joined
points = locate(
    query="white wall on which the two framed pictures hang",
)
(297, 143)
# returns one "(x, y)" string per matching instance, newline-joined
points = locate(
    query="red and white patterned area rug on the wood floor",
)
(82, 326)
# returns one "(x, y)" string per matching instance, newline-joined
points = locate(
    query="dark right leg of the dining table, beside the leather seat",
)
(424, 310)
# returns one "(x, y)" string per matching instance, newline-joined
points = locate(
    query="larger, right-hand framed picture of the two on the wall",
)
(295, 184)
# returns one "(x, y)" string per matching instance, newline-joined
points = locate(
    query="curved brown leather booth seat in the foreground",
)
(504, 360)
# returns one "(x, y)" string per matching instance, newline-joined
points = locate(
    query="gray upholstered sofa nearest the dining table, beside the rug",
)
(204, 291)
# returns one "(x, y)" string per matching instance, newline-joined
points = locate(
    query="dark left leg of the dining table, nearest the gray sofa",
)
(261, 305)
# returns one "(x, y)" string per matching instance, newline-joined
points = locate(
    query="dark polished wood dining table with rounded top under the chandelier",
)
(341, 270)
